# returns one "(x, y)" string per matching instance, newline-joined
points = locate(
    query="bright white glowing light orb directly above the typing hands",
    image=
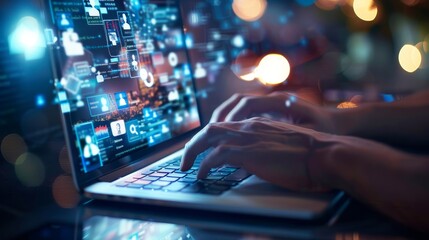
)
(273, 69)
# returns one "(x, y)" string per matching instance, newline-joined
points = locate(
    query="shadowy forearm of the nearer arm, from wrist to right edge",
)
(393, 182)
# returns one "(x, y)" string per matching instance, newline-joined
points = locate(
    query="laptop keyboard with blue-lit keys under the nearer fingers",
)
(168, 177)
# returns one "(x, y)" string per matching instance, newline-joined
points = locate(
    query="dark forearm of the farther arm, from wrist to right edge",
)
(397, 123)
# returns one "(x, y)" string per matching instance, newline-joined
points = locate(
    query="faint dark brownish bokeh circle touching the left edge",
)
(12, 146)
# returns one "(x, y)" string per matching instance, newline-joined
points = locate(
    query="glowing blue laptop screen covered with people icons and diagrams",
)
(124, 79)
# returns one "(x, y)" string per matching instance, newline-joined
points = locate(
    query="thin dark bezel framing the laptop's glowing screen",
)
(82, 179)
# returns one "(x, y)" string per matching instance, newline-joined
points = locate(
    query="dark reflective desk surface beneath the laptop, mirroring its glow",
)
(113, 220)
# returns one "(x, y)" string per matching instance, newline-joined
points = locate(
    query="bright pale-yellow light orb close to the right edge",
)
(410, 58)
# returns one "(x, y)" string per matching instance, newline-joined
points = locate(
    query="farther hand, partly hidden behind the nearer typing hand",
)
(278, 105)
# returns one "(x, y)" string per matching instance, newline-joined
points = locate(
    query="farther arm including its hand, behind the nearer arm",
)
(403, 123)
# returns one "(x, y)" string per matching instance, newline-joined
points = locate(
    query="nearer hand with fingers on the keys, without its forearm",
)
(275, 151)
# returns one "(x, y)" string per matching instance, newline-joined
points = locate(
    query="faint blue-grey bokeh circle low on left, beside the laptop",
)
(30, 170)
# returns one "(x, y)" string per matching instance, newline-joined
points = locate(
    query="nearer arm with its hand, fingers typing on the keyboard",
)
(394, 182)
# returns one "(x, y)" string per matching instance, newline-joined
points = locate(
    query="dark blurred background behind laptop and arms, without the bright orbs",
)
(333, 55)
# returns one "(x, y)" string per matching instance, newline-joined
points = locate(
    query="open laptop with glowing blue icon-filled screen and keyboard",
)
(125, 86)
